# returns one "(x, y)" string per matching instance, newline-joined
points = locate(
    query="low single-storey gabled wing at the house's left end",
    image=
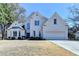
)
(15, 31)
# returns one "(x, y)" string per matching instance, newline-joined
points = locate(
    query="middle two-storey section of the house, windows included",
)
(34, 25)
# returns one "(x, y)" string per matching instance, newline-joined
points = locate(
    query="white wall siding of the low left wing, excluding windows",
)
(10, 30)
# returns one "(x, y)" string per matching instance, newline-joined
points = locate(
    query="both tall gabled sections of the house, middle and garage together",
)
(39, 26)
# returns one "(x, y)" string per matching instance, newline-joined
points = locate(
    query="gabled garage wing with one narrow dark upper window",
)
(55, 28)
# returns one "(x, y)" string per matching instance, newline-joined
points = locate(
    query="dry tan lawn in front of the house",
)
(31, 48)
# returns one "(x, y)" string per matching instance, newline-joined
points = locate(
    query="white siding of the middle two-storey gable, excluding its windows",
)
(37, 29)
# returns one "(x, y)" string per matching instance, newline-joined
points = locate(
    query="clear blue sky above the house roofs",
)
(48, 9)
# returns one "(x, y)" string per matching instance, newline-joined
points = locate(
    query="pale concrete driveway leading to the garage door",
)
(72, 46)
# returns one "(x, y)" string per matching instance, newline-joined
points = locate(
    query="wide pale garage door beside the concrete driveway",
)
(54, 35)
